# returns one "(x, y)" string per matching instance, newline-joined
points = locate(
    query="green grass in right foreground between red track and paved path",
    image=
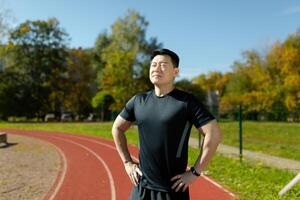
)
(248, 180)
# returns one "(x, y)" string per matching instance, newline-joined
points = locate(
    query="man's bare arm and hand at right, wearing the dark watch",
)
(212, 139)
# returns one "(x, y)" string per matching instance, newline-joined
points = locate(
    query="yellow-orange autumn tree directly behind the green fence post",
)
(246, 86)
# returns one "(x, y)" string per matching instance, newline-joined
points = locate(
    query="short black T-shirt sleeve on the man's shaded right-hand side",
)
(197, 112)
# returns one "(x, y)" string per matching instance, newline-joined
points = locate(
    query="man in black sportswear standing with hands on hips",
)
(164, 117)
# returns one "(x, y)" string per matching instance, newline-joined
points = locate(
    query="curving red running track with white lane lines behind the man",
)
(92, 170)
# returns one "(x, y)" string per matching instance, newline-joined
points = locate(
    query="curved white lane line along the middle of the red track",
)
(110, 177)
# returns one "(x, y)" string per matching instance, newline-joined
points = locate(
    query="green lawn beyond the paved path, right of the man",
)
(275, 138)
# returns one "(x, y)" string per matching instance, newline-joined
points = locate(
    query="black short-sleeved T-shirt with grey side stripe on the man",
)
(164, 125)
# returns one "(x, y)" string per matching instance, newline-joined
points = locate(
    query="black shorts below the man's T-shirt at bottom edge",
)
(141, 193)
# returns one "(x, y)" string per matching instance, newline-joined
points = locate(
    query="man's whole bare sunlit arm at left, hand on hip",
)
(119, 128)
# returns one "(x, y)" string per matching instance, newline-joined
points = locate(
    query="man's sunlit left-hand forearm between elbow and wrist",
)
(121, 144)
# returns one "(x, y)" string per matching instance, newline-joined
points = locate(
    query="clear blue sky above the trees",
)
(207, 35)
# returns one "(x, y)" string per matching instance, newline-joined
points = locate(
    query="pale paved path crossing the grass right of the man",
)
(273, 161)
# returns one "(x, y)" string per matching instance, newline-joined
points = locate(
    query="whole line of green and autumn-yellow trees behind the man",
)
(40, 74)
